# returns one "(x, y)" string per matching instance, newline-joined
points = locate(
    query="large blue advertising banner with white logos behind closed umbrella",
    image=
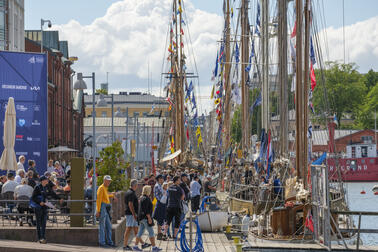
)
(23, 76)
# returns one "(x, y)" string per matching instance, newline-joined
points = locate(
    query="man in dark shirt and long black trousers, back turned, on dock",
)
(175, 197)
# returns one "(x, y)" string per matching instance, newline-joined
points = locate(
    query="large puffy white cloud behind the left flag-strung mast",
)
(133, 32)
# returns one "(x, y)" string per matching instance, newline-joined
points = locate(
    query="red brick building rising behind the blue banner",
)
(65, 124)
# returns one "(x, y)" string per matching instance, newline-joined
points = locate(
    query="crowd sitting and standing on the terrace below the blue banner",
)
(27, 185)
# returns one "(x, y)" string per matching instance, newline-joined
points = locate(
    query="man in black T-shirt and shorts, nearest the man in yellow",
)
(131, 203)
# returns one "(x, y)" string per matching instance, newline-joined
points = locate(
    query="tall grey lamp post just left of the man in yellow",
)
(80, 84)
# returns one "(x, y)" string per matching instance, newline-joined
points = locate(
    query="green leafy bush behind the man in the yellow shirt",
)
(113, 164)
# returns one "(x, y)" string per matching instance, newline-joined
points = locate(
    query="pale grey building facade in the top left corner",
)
(12, 25)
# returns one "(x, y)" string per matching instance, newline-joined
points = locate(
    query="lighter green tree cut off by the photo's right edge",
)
(366, 112)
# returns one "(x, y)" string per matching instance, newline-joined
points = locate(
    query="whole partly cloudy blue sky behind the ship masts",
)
(115, 43)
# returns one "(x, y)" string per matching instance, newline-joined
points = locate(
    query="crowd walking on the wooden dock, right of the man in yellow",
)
(171, 192)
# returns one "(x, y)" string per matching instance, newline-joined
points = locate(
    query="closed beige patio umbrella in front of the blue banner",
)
(8, 158)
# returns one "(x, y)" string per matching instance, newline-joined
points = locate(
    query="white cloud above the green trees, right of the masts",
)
(361, 44)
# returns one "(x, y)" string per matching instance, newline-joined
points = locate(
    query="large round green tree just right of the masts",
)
(344, 88)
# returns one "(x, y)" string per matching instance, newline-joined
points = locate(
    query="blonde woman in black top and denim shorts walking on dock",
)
(145, 219)
